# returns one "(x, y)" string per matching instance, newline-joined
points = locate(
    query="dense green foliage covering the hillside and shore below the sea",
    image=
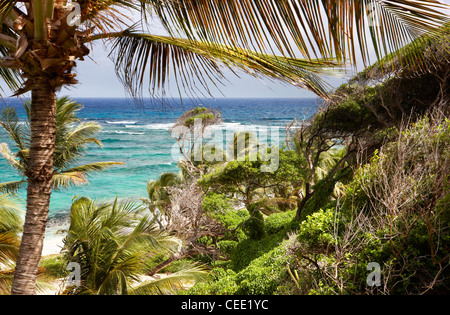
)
(359, 204)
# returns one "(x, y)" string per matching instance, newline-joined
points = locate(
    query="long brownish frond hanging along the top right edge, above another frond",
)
(342, 29)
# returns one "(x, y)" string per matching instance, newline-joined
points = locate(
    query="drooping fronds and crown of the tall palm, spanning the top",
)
(211, 33)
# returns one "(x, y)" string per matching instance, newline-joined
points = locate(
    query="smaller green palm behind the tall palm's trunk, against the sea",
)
(72, 138)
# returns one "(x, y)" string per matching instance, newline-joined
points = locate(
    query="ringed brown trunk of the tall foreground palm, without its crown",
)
(42, 147)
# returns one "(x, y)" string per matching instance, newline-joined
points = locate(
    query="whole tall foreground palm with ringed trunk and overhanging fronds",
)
(40, 42)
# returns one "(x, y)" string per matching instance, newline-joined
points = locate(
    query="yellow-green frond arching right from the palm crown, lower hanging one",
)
(196, 65)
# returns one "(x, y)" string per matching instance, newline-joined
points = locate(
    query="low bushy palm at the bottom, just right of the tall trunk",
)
(112, 244)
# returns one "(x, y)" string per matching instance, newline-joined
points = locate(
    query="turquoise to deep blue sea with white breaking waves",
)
(138, 135)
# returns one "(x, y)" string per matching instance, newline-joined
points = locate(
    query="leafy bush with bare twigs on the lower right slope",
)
(394, 213)
